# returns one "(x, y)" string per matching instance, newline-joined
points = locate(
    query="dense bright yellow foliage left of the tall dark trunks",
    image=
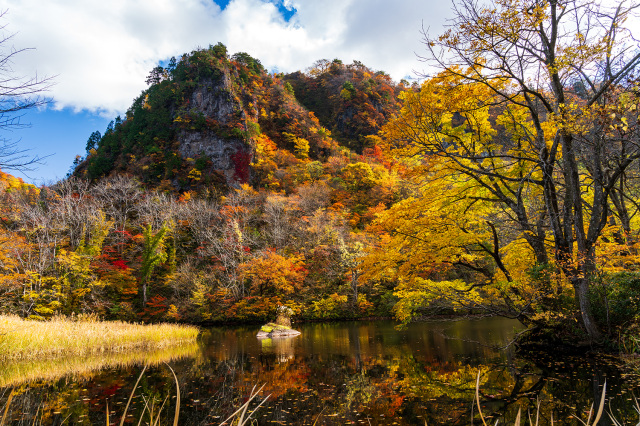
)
(444, 144)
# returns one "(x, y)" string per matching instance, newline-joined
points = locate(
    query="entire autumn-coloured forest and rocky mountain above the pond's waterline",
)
(494, 187)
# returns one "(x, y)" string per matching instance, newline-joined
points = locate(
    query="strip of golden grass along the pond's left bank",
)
(26, 339)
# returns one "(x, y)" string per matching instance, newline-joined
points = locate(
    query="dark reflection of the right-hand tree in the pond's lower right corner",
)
(563, 387)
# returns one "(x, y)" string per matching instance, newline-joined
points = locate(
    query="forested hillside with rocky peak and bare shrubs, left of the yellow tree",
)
(217, 197)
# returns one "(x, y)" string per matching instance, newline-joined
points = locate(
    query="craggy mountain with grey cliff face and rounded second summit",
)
(214, 120)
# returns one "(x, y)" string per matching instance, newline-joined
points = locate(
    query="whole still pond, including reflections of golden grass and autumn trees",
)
(333, 374)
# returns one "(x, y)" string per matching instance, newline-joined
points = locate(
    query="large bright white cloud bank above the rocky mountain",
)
(101, 52)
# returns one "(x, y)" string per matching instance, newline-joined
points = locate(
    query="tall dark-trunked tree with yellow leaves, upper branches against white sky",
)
(527, 112)
